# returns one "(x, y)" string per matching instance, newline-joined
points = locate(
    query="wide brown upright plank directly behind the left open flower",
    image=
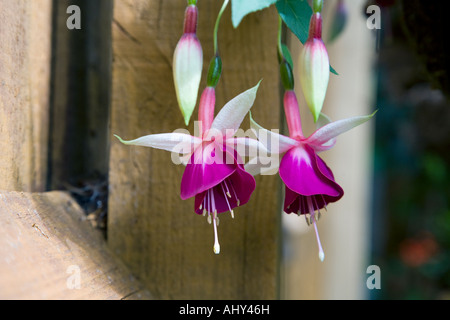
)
(158, 235)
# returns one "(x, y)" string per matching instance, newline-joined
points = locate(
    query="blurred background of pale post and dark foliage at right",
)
(395, 214)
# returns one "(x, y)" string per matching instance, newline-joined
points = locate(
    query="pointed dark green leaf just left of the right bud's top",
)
(296, 14)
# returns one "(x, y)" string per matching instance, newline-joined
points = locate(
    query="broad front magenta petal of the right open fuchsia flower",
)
(306, 174)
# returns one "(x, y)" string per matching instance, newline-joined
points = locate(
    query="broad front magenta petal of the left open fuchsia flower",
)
(205, 170)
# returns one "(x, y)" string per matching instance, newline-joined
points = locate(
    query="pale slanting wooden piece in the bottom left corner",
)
(48, 250)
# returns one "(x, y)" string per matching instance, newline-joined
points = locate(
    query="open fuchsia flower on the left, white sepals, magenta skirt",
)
(215, 173)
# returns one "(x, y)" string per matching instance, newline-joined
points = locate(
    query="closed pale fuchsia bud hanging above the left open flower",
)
(188, 64)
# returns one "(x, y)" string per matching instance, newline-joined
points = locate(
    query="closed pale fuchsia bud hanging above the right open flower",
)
(314, 67)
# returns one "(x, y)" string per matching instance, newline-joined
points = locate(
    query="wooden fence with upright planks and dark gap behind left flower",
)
(63, 93)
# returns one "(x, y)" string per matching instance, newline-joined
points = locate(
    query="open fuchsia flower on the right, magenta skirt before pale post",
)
(309, 182)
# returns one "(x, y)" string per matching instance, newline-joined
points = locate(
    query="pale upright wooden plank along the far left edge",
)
(24, 91)
